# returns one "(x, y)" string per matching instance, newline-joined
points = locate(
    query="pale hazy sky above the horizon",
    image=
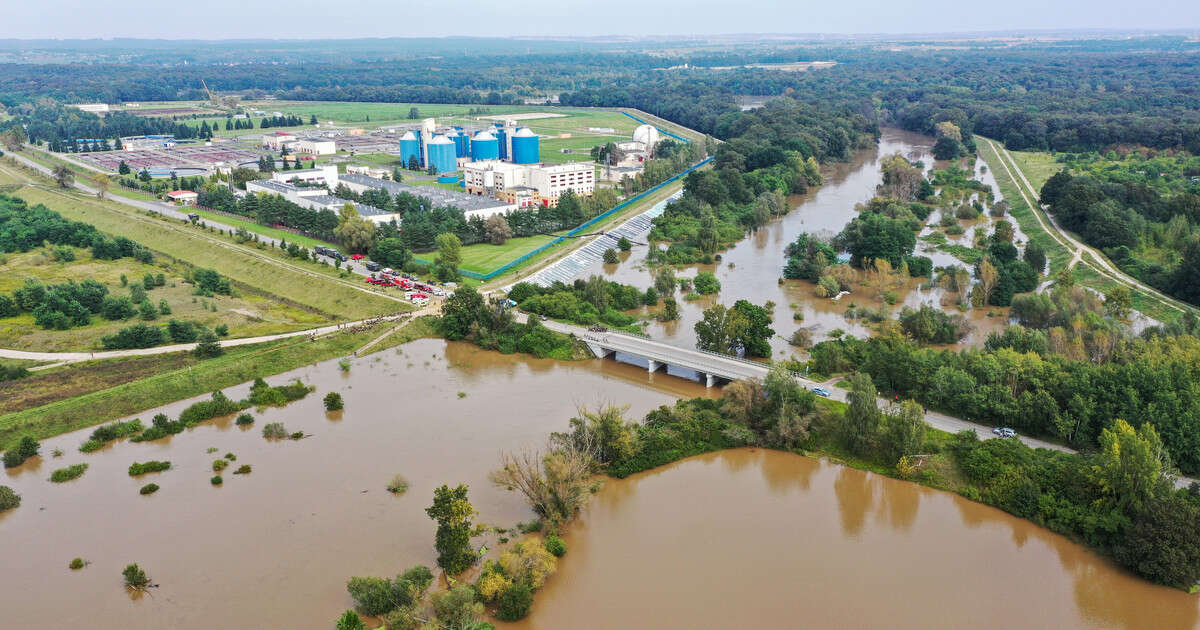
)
(388, 19)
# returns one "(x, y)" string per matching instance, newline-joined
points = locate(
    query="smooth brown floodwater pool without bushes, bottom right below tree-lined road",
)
(765, 539)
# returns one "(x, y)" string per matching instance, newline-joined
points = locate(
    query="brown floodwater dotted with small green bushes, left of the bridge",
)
(274, 549)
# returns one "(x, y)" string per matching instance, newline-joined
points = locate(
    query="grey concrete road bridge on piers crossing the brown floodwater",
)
(711, 367)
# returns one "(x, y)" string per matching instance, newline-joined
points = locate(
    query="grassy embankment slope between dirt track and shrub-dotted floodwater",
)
(82, 395)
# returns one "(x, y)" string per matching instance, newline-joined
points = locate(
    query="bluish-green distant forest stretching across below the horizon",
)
(1065, 97)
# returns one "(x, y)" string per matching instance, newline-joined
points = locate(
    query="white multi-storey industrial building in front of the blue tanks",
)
(542, 183)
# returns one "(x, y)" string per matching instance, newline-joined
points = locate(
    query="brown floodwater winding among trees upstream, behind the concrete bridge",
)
(753, 268)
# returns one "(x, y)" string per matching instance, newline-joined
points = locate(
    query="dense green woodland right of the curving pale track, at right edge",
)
(1142, 212)
